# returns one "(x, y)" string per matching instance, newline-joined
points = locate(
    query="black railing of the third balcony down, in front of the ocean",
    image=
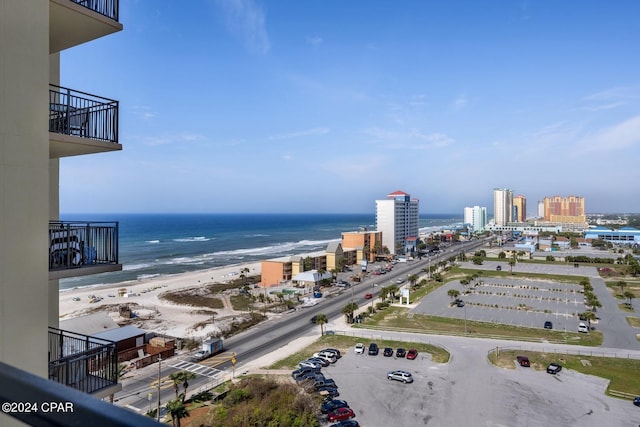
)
(76, 244)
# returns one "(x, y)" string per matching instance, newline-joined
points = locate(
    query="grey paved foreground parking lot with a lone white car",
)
(470, 391)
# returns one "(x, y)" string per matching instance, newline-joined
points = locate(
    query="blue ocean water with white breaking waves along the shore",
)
(159, 244)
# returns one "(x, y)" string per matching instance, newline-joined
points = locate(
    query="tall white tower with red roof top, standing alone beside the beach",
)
(397, 219)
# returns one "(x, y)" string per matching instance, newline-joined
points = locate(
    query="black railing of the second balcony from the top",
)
(81, 114)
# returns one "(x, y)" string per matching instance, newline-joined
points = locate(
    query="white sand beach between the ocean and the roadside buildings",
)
(154, 314)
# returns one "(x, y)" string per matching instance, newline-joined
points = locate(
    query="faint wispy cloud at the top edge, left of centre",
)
(246, 21)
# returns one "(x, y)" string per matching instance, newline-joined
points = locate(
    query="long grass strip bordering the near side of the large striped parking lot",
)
(400, 319)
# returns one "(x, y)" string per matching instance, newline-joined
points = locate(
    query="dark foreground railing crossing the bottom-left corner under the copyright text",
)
(43, 403)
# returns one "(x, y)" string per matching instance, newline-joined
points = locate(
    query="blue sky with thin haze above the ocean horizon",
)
(325, 106)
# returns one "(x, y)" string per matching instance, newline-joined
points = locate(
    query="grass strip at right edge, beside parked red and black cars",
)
(618, 371)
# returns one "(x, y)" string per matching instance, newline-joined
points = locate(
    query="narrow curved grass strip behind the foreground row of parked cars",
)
(346, 344)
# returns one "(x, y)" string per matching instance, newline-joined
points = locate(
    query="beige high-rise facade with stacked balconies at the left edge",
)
(40, 123)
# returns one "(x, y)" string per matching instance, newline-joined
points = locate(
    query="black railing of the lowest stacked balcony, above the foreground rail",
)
(88, 364)
